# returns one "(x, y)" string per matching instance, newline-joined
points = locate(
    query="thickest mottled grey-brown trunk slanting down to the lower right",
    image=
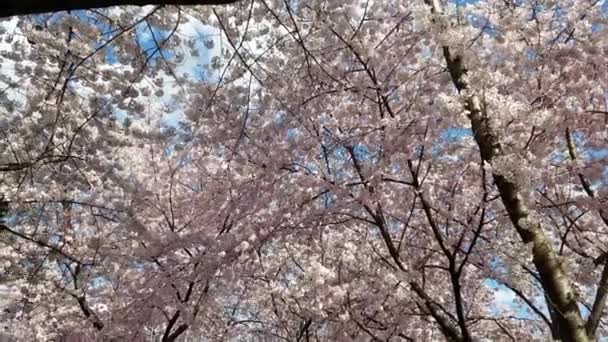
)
(553, 278)
